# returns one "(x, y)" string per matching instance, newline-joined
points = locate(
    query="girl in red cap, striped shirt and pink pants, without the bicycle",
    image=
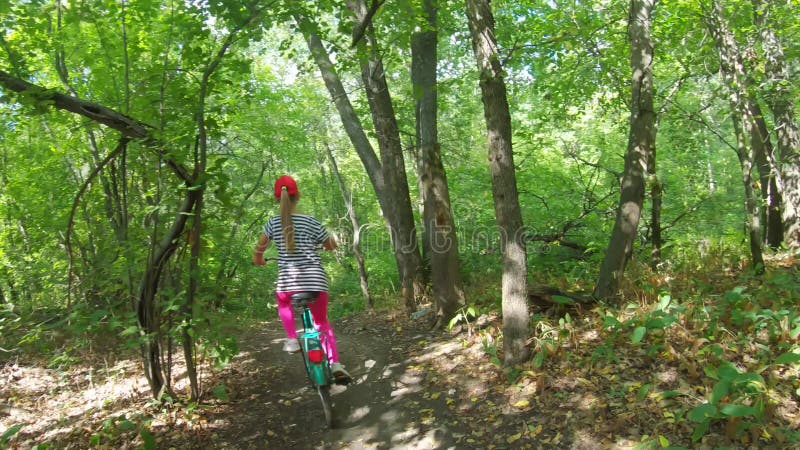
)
(297, 238)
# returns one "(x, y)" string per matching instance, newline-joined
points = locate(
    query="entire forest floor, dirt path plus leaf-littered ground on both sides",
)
(418, 388)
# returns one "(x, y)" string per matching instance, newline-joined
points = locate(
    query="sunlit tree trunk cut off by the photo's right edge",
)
(780, 99)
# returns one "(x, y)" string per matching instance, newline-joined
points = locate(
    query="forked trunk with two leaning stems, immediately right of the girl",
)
(387, 175)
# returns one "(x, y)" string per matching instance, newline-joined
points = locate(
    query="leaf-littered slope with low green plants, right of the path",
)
(689, 357)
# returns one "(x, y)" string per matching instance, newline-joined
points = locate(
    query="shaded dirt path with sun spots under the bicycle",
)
(271, 405)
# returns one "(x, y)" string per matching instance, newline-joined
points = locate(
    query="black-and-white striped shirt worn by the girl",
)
(302, 269)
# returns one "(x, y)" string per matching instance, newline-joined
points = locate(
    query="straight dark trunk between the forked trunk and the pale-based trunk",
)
(438, 220)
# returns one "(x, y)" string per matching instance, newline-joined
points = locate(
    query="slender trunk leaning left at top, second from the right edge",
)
(733, 73)
